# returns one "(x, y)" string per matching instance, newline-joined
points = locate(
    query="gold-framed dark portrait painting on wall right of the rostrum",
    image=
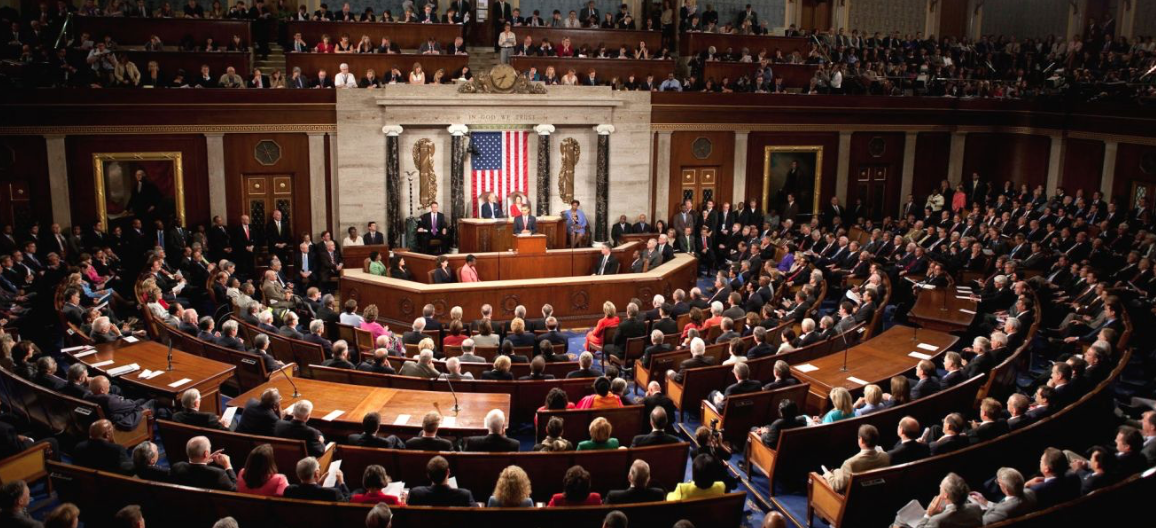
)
(792, 170)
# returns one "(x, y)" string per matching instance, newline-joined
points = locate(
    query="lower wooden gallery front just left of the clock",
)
(382, 64)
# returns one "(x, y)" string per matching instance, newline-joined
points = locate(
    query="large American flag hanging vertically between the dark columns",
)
(501, 166)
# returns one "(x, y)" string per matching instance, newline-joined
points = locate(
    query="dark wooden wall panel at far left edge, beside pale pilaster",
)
(25, 181)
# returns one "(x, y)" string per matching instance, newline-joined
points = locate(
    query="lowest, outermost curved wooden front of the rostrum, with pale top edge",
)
(572, 296)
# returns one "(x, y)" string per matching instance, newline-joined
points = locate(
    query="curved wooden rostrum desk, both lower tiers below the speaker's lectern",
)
(569, 288)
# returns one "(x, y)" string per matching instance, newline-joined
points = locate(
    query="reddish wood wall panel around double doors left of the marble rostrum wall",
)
(240, 161)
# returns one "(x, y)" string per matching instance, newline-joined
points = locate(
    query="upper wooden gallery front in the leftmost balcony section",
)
(129, 32)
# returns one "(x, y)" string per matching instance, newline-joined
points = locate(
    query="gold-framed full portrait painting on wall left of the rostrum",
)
(139, 185)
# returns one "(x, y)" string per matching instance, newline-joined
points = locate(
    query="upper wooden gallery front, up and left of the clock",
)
(405, 36)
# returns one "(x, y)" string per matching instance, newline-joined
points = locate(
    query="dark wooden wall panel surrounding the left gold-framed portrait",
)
(81, 183)
